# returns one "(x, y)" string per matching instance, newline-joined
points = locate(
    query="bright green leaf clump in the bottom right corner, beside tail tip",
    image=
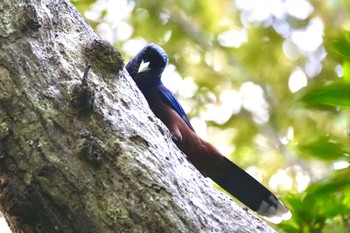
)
(323, 203)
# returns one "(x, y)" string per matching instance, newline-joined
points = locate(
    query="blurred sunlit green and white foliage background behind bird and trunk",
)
(266, 81)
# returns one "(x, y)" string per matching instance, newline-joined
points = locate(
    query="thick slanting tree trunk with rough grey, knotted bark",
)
(88, 155)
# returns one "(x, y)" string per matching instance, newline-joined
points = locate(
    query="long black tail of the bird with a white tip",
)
(252, 194)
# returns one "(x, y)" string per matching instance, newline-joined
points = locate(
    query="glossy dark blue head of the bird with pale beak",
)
(147, 66)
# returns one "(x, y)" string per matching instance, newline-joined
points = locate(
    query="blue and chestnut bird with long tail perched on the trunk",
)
(146, 69)
